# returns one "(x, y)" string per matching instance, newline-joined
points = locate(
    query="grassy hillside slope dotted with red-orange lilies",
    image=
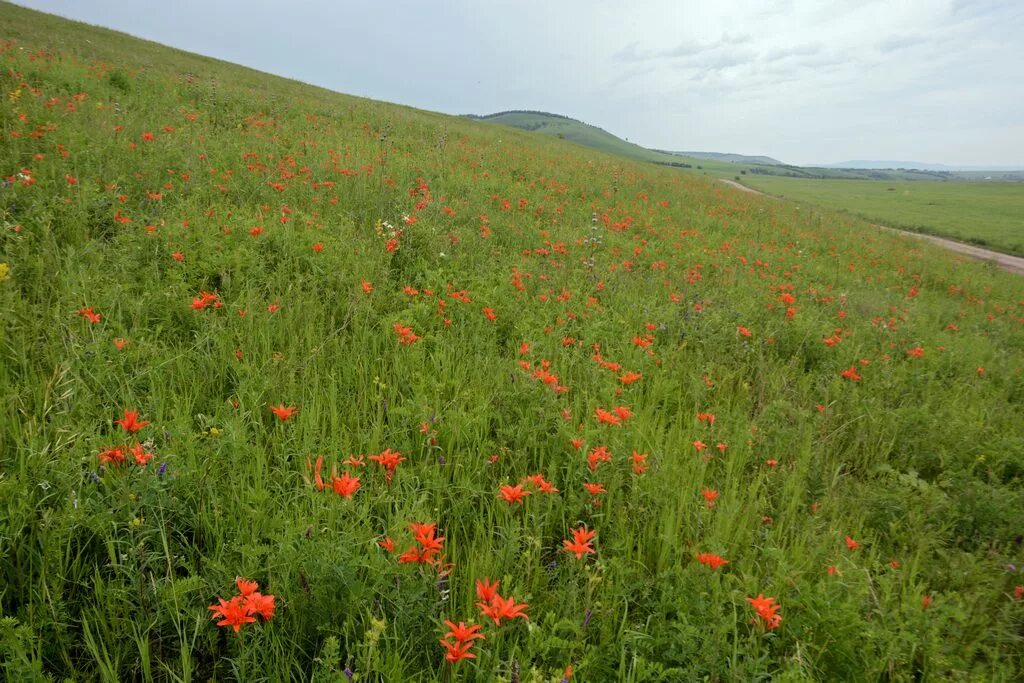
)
(376, 360)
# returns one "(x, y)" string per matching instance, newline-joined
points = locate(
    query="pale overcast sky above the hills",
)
(805, 81)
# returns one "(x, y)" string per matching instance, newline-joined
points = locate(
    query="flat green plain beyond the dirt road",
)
(978, 212)
